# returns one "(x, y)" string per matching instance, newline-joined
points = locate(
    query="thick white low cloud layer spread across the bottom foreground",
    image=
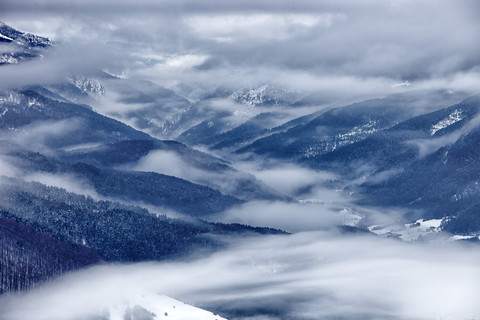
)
(303, 276)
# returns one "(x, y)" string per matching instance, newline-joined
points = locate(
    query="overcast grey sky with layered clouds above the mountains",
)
(365, 46)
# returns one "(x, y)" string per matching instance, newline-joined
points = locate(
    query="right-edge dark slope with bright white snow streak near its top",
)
(402, 143)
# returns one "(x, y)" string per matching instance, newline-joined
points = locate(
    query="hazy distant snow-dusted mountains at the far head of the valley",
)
(165, 115)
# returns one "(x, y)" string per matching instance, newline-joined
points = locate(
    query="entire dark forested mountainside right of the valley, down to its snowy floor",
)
(425, 165)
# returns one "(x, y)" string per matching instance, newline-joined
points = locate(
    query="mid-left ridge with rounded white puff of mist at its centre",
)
(175, 159)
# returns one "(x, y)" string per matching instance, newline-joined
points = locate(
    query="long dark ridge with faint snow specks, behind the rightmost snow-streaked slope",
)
(316, 134)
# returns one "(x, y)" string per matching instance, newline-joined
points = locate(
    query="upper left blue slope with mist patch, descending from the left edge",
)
(58, 124)
